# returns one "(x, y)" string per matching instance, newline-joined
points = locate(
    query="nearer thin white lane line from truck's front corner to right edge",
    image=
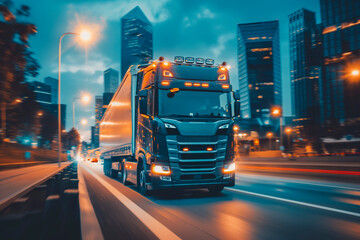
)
(296, 202)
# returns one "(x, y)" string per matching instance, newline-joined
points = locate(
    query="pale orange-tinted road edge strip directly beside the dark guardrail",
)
(90, 228)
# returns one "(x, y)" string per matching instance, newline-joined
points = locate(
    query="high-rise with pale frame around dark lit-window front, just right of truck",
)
(259, 68)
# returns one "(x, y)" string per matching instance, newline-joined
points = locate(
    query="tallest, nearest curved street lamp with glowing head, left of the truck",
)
(85, 36)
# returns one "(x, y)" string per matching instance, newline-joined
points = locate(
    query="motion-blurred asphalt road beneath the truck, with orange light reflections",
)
(258, 207)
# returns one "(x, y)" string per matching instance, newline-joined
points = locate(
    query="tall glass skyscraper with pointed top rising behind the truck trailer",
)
(136, 39)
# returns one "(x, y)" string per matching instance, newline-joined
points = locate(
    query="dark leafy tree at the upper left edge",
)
(16, 61)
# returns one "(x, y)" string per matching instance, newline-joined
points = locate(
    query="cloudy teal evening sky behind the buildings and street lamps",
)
(201, 28)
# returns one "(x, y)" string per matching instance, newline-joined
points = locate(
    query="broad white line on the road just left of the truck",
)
(157, 228)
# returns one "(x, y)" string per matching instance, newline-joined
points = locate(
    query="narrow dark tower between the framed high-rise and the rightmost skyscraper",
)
(305, 67)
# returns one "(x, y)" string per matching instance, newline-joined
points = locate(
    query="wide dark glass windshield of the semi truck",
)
(185, 103)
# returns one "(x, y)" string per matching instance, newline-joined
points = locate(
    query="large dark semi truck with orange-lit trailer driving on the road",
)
(170, 126)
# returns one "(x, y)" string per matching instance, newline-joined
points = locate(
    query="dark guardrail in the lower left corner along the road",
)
(46, 210)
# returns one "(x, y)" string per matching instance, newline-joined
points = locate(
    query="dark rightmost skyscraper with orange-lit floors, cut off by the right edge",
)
(341, 36)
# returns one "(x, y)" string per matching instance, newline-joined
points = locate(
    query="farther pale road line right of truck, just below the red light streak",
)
(299, 181)
